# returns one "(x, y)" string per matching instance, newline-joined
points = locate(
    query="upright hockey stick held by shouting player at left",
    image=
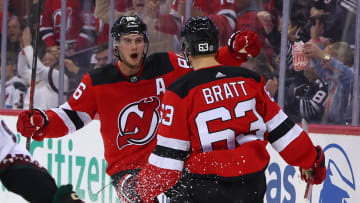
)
(33, 67)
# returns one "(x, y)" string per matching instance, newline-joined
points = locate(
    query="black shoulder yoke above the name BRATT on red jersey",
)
(184, 84)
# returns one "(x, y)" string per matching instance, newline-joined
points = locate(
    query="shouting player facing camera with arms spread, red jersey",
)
(126, 95)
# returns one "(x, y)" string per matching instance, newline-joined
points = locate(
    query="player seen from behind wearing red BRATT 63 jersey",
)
(216, 123)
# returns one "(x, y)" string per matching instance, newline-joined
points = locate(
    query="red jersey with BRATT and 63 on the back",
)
(216, 123)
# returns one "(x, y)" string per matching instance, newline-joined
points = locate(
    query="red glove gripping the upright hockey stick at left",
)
(32, 125)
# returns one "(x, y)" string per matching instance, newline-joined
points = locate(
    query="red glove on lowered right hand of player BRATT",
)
(316, 174)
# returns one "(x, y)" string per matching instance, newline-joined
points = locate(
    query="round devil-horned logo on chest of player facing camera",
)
(138, 122)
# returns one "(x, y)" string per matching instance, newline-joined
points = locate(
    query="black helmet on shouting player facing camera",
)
(128, 25)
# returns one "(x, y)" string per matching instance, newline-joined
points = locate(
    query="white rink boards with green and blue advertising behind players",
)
(78, 159)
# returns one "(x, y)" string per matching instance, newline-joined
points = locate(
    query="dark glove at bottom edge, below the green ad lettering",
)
(65, 195)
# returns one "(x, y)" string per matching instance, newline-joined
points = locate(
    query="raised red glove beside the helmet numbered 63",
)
(244, 44)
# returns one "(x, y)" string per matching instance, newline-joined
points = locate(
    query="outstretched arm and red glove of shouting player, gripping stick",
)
(78, 111)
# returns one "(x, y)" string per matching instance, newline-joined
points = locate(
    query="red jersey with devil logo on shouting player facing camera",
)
(127, 107)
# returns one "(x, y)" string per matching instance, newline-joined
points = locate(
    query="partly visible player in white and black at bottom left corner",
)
(23, 175)
